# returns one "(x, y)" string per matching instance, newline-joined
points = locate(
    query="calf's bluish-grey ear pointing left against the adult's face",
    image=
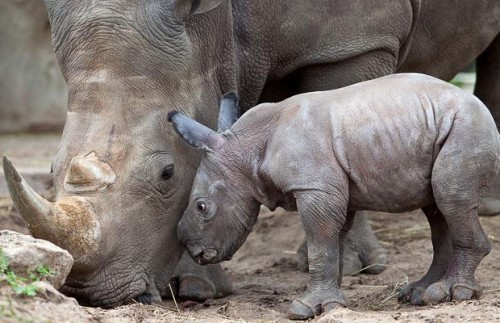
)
(195, 134)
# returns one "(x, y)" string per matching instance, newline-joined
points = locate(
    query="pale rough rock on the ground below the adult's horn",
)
(25, 254)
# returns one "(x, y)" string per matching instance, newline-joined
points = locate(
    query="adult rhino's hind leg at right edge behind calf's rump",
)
(488, 90)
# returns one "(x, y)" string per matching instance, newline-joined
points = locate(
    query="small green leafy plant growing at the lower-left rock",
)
(21, 285)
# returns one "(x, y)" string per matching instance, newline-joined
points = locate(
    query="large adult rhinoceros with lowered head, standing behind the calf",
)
(123, 177)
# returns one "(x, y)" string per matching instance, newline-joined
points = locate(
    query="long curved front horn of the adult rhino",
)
(71, 223)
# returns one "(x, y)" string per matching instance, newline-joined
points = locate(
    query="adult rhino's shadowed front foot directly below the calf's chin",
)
(195, 282)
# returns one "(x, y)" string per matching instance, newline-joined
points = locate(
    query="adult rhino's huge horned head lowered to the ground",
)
(122, 177)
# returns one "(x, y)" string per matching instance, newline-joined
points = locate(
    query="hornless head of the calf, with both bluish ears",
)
(222, 209)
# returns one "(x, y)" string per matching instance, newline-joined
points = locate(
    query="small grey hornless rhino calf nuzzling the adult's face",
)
(394, 144)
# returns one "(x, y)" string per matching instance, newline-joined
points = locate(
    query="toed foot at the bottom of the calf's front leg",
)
(312, 304)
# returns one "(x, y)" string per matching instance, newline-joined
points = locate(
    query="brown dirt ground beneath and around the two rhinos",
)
(266, 280)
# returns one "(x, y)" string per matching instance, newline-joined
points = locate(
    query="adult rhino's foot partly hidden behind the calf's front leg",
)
(361, 250)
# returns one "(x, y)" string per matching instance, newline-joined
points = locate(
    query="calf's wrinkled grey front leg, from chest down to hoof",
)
(326, 222)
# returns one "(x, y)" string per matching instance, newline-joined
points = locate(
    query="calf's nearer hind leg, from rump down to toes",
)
(464, 168)
